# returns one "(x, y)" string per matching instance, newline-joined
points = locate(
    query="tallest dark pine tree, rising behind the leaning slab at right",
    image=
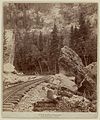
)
(83, 35)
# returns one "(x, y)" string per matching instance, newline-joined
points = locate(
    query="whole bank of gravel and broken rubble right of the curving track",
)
(44, 93)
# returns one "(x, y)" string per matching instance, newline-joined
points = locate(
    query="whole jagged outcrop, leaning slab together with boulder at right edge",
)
(70, 64)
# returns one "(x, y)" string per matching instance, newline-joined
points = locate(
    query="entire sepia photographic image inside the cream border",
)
(50, 57)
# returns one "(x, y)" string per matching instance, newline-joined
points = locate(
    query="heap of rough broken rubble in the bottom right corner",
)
(77, 104)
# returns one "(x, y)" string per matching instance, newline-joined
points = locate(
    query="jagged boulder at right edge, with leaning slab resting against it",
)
(89, 83)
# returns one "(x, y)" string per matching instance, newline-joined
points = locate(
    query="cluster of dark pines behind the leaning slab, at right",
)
(81, 41)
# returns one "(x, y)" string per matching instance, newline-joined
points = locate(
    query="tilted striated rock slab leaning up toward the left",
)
(71, 64)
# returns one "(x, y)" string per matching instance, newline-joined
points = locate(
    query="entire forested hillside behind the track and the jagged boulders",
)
(36, 52)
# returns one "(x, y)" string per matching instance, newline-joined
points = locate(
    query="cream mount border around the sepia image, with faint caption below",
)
(50, 115)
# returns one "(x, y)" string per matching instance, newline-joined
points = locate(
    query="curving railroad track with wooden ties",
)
(13, 95)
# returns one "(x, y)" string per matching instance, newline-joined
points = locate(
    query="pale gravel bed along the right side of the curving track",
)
(32, 96)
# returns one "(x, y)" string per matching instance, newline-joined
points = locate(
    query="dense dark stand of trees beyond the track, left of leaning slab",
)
(34, 55)
